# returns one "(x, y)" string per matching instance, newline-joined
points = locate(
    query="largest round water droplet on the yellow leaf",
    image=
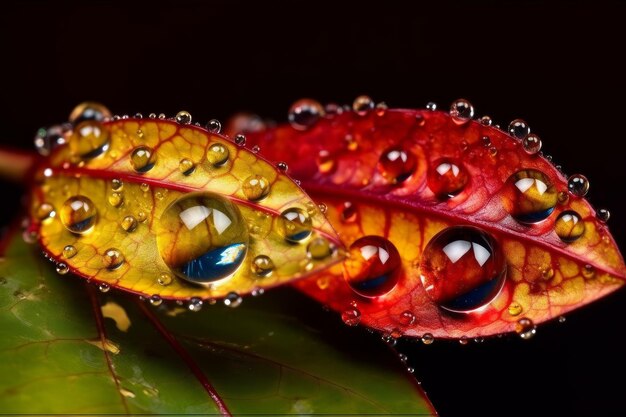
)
(202, 238)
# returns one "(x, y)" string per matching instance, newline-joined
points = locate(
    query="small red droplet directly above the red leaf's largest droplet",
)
(446, 178)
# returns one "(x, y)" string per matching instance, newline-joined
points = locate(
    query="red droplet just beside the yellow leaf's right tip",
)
(372, 268)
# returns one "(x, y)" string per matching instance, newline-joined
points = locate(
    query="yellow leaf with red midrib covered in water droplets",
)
(157, 207)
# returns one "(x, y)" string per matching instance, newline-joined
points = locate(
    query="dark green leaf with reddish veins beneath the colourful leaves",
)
(67, 348)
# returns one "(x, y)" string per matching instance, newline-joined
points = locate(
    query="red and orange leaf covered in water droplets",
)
(530, 248)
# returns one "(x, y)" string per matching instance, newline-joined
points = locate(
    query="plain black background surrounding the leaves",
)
(558, 65)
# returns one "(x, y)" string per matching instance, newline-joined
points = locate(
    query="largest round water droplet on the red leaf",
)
(462, 268)
